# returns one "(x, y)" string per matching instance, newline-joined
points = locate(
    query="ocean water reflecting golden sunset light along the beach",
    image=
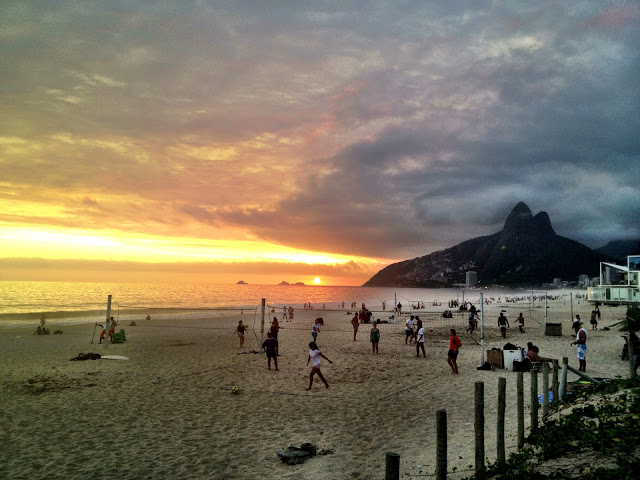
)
(25, 302)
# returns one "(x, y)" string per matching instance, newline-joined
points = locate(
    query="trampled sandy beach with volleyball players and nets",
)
(168, 411)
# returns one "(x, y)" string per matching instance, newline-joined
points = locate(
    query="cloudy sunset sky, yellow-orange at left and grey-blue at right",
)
(293, 140)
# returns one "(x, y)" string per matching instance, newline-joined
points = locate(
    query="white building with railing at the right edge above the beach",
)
(619, 284)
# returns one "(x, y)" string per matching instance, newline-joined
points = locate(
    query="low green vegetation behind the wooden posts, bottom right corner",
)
(599, 439)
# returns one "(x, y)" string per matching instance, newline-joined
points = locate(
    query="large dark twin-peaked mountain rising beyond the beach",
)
(527, 251)
